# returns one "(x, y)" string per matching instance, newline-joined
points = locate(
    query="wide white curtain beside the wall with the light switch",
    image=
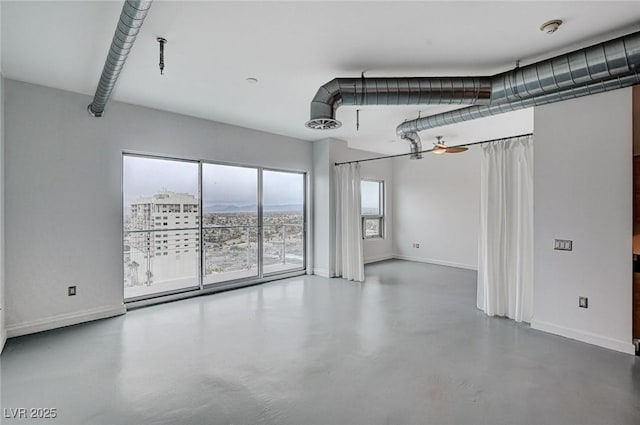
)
(505, 263)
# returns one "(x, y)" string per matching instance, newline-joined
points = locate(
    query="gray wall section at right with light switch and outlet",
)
(583, 192)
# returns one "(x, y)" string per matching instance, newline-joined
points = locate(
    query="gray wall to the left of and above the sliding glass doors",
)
(64, 194)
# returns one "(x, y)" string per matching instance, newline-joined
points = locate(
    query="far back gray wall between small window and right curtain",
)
(437, 205)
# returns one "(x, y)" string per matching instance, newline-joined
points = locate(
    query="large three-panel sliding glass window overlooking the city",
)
(247, 223)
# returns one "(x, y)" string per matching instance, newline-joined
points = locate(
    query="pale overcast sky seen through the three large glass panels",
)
(221, 184)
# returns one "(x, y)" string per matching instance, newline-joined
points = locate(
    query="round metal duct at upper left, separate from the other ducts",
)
(131, 19)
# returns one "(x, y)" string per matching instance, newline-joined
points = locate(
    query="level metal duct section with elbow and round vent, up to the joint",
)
(393, 91)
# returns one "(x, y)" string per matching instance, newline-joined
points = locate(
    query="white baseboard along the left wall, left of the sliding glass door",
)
(64, 320)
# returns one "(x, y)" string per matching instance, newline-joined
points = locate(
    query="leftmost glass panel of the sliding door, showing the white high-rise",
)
(161, 226)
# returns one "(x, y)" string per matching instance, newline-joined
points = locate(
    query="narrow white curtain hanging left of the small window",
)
(349, 253)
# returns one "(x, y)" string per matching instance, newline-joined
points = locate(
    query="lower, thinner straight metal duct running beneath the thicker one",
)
(474, 112)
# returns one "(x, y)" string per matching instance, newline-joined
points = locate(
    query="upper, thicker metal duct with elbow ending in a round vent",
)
(600, 62)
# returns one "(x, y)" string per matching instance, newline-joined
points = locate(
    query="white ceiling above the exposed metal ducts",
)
(293, 48)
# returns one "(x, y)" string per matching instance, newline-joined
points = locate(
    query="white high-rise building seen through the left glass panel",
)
(162, 240)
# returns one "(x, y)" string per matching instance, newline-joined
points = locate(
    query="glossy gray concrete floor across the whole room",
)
(406, 347)
